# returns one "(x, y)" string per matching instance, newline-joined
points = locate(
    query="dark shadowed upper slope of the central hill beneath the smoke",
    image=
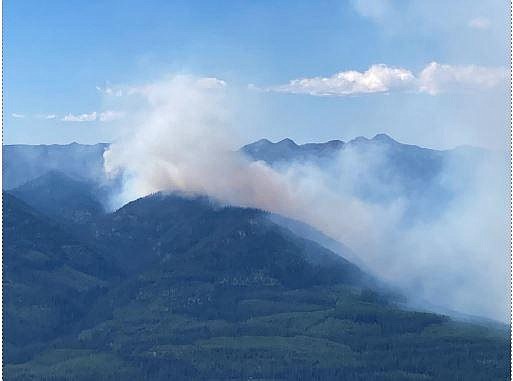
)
(170, 226)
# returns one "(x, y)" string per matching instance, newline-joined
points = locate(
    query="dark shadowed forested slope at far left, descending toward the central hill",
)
(49, 278)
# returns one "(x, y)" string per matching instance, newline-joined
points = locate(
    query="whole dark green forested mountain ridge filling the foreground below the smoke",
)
(180, 287)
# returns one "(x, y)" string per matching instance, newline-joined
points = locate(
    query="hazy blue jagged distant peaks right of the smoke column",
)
(380, 170)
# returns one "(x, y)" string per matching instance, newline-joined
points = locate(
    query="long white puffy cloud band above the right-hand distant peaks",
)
(433, 79)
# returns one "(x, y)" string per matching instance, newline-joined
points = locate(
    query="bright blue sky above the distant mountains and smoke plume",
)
(58, 53)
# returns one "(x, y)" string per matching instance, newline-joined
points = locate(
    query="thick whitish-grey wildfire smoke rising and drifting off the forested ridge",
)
(180, 138)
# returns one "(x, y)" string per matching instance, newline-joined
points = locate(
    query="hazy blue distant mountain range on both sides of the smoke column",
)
(376, 170)
